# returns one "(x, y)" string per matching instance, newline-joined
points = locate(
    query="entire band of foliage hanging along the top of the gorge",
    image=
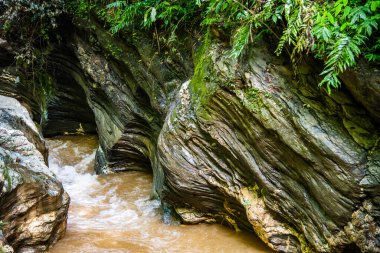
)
(337, 32)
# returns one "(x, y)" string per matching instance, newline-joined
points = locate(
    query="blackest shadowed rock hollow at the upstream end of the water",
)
(67, 109)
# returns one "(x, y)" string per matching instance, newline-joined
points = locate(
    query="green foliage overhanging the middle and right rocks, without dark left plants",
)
(338, 32)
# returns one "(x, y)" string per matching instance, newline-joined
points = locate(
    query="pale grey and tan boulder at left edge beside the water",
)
(33, 204)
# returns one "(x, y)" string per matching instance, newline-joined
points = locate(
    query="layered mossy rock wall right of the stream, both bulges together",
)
(243, 143)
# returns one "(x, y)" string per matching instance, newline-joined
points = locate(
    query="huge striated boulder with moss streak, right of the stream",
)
(301, 166)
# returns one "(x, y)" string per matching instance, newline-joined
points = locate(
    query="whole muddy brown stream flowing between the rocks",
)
(114, 213)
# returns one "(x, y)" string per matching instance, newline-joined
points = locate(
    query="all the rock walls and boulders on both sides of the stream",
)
(242, 142)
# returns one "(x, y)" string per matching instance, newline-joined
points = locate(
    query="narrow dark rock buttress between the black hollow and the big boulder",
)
(129, 87)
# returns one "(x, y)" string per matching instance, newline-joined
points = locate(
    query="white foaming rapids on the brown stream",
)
(93, 210)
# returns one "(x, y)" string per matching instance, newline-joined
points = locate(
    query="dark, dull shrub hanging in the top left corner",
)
(30, 25)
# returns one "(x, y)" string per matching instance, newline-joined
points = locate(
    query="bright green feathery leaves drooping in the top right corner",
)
(341, 31)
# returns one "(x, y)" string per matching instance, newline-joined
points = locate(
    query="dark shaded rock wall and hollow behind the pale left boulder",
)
(53, 96)
